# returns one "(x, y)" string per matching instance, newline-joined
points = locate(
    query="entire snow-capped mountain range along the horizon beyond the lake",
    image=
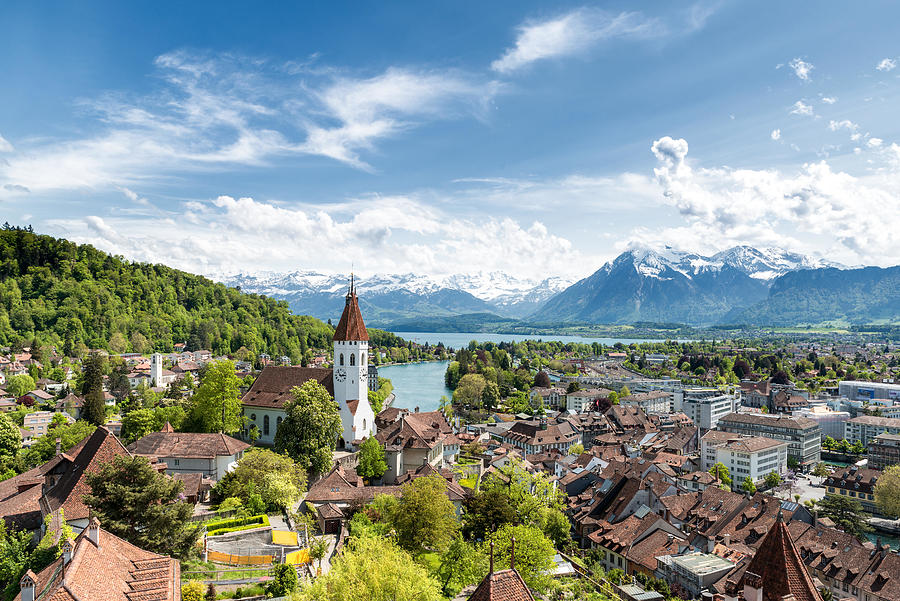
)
(741, 285)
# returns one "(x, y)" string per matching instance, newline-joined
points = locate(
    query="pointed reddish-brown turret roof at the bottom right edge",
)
(778, 569)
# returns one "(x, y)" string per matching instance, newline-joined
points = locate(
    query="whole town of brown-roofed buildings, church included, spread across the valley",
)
(718, 490)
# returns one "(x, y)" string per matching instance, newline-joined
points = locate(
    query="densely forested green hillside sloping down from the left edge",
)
(77, 297)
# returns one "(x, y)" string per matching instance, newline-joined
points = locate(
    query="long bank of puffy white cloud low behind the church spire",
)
(383, 235)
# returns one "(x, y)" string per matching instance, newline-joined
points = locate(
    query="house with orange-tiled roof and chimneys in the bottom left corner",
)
(99, 565)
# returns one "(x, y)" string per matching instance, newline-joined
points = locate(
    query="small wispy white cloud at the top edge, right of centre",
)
(572, 34)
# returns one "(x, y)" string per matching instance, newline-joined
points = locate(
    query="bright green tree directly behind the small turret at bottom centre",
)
(534, 553)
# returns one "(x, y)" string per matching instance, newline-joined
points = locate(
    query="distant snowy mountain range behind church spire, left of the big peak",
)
(391, 297)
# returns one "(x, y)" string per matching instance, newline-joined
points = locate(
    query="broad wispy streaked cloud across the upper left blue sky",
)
(211, 113)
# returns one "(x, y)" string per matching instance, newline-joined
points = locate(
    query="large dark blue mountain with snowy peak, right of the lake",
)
(669, 285)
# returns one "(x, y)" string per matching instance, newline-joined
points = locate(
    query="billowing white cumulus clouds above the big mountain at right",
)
(725, 206)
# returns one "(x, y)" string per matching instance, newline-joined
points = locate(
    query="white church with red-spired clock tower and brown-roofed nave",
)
(347, 382)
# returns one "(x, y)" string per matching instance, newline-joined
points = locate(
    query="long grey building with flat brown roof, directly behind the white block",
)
(804, 436)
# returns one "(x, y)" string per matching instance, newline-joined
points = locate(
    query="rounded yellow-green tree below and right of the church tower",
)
(425, 518)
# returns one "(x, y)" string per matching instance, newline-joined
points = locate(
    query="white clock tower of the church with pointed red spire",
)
(351, 372)
